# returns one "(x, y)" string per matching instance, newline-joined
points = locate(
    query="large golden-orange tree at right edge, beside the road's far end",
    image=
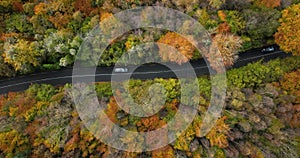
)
(287, 36)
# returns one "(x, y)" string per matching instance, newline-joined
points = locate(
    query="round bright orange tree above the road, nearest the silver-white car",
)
(178, 42)
